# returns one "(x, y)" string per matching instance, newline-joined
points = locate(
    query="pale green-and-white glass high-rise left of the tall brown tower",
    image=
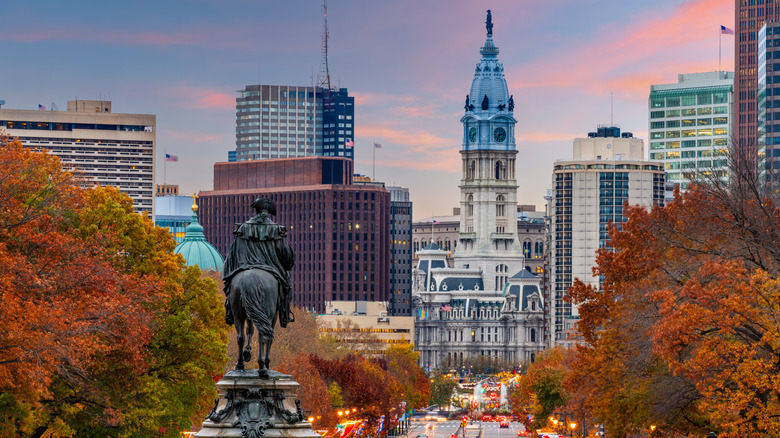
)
(690, 125)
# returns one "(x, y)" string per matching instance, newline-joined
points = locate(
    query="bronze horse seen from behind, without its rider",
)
(253, 301)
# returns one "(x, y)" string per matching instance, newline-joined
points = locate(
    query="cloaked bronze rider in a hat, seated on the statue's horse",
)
(259, 243)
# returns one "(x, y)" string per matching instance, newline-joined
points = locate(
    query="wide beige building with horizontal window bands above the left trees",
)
(105, 148)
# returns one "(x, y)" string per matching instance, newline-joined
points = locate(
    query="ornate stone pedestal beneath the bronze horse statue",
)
(250, 406)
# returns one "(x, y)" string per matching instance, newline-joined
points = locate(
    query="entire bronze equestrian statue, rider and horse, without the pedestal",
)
(257, 283)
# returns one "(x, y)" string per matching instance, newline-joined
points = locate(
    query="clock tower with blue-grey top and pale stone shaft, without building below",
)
(488, 189)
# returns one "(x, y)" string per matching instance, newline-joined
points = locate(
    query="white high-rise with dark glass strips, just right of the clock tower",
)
(588, 192)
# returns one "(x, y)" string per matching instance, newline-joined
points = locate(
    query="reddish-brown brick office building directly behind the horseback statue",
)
(340, 232)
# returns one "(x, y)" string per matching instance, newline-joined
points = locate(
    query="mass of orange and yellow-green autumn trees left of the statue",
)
(105, 331)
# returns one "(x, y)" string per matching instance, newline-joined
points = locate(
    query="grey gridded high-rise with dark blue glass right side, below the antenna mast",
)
(281, 121)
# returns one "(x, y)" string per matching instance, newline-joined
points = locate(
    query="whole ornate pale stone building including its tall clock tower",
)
(487, 305)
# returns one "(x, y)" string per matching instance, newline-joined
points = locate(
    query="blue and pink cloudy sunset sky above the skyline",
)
(408, 64)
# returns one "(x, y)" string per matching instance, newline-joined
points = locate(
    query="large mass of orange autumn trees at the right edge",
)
(683, 333)
